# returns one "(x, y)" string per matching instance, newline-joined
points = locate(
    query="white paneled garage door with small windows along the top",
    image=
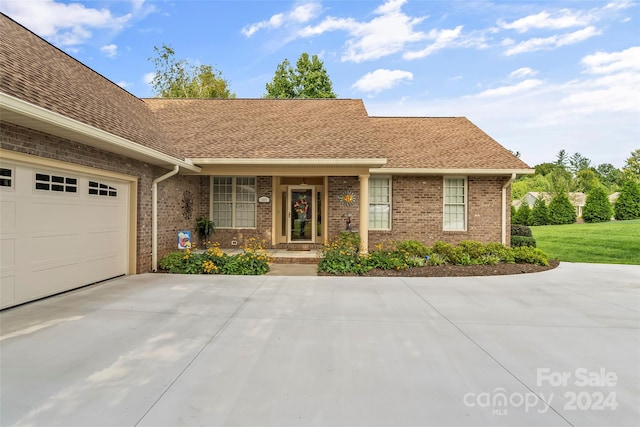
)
(59, 230)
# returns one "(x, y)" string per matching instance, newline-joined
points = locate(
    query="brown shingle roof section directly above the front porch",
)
(267, 128)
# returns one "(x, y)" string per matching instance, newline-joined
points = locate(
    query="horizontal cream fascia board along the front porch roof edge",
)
(371, 163)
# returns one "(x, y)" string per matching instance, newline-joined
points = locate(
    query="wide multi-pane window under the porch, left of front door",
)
(233, 201)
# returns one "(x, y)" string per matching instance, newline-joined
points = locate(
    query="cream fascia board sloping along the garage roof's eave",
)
(36, 112)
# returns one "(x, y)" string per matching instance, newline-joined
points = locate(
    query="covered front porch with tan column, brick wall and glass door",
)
(300, 204)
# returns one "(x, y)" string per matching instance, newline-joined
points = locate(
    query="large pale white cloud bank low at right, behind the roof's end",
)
(595, 114)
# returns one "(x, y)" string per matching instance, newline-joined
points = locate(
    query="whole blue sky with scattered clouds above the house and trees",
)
(538, 76)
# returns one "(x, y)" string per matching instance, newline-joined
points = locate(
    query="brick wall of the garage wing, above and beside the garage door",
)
(24, 140)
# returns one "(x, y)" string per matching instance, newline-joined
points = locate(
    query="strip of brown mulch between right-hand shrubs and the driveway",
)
(460, 270)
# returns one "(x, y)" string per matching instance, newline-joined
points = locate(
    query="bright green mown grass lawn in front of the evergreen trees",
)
(615, 242)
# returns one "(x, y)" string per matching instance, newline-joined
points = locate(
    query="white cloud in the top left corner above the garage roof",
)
(63, 24)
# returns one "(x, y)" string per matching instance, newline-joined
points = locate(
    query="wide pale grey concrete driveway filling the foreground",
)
(557, 348)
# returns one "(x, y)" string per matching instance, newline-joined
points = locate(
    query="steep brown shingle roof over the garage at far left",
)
(33, 70)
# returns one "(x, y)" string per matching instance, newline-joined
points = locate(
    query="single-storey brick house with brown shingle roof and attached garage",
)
(96, 182)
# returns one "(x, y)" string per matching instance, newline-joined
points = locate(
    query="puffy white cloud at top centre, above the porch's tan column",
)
(389, 32)
